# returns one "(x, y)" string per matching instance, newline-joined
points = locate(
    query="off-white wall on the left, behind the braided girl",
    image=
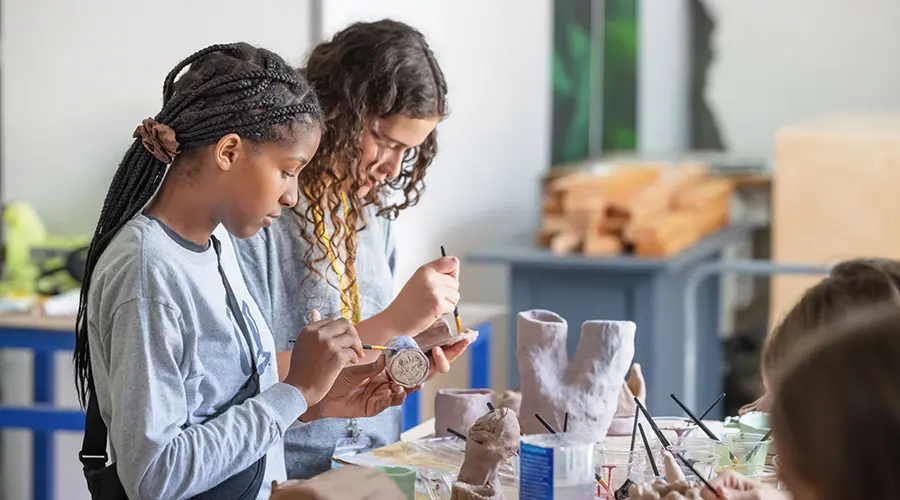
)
(77, 78)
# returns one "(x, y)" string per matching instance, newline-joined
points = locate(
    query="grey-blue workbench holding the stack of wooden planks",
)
(649, 292)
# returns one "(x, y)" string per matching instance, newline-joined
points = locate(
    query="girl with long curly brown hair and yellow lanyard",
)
(383, 94)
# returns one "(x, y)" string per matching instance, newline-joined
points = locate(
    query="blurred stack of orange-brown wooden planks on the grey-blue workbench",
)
(649, 209)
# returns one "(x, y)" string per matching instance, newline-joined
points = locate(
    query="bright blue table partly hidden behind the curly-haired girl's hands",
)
(477, 317)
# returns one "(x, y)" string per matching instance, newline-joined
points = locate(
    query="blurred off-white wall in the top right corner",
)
(780, 62)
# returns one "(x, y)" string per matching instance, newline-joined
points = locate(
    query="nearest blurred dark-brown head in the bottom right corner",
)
(836, 410)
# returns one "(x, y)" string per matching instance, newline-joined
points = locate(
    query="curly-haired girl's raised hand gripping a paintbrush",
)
(430, 293)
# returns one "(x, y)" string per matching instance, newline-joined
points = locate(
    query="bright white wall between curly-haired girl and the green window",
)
(483, 187)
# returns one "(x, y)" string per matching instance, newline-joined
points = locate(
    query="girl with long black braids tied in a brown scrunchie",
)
(173, 358)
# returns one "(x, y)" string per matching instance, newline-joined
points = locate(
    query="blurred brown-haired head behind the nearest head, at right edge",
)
(851, 285)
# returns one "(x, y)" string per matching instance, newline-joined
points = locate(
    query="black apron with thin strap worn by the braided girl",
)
(103, 480)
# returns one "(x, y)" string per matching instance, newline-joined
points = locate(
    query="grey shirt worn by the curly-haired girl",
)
(272, 263)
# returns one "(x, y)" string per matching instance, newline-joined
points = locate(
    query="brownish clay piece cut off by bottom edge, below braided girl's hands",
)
(348, 482)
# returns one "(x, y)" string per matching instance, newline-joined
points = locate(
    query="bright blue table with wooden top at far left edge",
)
(43, 336)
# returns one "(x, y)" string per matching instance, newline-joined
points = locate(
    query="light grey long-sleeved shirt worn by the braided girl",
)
(166, 354)
